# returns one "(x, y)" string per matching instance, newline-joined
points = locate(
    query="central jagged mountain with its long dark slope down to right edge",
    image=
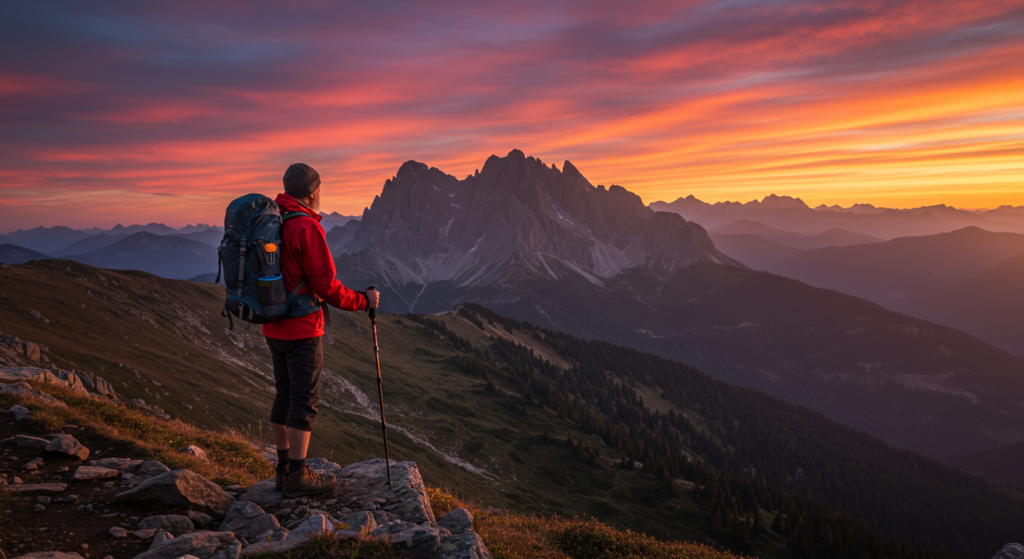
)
(543, 245)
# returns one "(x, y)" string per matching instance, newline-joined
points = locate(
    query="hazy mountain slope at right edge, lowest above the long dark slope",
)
(991, 306)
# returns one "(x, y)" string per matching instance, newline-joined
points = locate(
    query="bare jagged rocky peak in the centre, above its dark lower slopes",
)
(517, 213)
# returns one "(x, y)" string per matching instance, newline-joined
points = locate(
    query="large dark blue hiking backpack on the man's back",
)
(250, 255)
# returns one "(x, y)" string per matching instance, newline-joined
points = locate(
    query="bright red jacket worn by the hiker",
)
(307, 255)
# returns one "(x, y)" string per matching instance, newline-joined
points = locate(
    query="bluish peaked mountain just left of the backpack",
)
(166, 256)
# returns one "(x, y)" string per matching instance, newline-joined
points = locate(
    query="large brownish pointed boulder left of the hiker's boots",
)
(181, 489)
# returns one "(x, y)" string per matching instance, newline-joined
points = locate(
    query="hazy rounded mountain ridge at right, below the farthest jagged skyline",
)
(888, 273)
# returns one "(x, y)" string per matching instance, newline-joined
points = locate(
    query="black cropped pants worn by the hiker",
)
(297, 367)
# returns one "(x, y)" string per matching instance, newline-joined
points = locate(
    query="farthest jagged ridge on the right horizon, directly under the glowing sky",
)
(793, 216)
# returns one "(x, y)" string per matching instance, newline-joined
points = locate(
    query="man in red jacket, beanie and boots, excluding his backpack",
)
(296, 343)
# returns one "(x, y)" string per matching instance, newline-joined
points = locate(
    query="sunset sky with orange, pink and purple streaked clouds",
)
(140, 112)
